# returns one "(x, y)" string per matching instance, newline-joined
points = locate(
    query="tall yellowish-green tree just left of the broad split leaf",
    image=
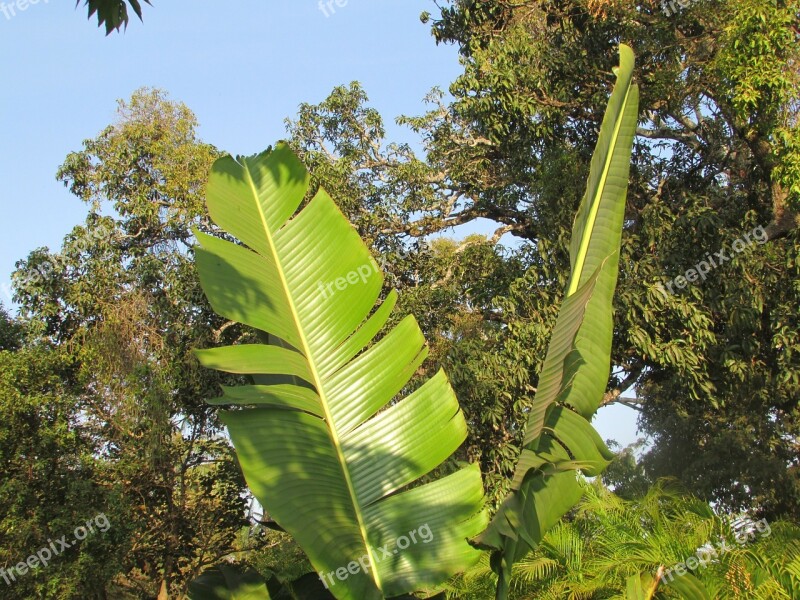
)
(121, 299)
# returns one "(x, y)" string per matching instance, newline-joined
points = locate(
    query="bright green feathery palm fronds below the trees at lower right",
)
(607, 540)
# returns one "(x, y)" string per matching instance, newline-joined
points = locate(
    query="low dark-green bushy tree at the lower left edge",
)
(49, 483)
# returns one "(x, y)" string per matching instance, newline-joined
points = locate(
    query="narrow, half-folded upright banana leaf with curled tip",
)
(559, 439)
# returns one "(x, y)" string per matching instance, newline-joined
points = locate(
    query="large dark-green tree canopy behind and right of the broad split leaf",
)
(714, 364)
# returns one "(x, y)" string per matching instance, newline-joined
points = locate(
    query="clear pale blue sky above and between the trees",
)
(241, 66)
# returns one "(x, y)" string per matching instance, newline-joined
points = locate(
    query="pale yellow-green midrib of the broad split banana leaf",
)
(306, 351)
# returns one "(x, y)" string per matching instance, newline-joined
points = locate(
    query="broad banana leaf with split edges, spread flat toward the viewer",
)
(324, 442)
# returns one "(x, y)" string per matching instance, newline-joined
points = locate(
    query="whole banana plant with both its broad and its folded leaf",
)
(325, 440)
